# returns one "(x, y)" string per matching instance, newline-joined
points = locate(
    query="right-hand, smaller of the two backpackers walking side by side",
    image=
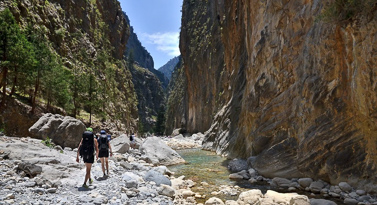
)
(104, 147)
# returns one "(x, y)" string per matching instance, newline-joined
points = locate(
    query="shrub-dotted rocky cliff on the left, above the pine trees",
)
(74, 26)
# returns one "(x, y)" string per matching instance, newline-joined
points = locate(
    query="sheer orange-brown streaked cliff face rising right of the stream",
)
(268, 80)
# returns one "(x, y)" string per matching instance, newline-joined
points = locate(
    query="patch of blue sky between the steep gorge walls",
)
(157, 25)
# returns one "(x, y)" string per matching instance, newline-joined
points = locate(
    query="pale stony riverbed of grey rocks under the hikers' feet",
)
(32, 173)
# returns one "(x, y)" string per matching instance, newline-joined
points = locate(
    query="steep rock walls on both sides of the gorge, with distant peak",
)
(289, 86)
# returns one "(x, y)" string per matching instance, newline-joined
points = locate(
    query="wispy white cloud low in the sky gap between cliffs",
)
(165, 42)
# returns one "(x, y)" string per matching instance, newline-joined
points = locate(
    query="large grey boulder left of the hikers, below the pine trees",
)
(64, 131)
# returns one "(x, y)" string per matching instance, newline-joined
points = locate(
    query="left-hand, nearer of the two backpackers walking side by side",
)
(86, 151)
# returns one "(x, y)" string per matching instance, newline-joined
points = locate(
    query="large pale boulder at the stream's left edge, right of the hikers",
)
(158, 153)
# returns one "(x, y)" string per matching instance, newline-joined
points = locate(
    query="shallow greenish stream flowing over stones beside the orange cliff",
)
(205, 166)
